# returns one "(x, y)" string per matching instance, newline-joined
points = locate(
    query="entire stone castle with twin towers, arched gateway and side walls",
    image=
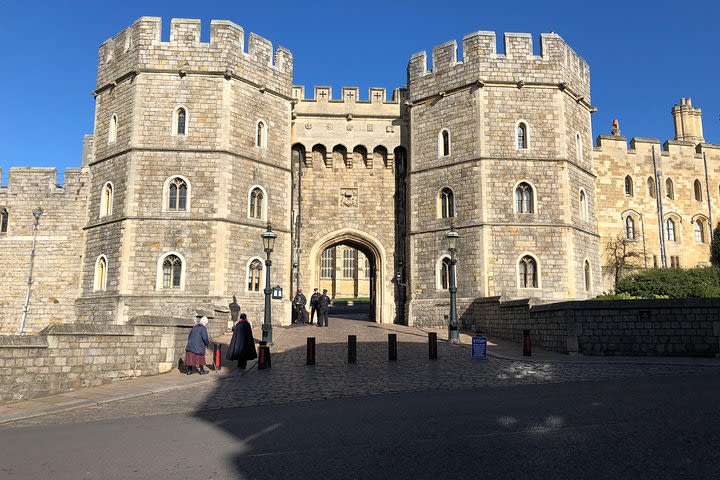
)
(196, 146)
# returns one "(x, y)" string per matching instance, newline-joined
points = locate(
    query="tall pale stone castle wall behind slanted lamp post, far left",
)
(59, 247)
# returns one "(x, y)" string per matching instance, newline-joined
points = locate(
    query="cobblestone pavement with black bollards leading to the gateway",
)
(290, 380)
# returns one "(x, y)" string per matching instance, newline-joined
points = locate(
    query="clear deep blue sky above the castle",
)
(643, 56)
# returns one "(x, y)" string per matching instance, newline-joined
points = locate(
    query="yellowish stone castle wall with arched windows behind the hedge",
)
(682, 163)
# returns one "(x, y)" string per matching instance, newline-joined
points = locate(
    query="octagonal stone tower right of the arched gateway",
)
(500, 145)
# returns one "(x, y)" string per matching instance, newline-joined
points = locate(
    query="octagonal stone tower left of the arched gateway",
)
(191, 159)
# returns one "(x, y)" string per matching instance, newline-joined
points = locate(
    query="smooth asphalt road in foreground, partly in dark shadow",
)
(652, 427)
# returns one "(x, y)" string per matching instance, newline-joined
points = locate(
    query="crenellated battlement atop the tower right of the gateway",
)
(557, 64)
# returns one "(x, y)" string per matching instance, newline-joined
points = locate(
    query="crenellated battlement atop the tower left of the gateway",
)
(139, 48)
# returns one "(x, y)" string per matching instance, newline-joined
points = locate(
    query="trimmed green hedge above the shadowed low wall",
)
(672, 283)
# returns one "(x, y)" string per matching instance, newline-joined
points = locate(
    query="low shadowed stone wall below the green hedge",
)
(664, 327)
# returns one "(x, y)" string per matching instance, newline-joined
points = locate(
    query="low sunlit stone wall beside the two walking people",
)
(65, 357)
